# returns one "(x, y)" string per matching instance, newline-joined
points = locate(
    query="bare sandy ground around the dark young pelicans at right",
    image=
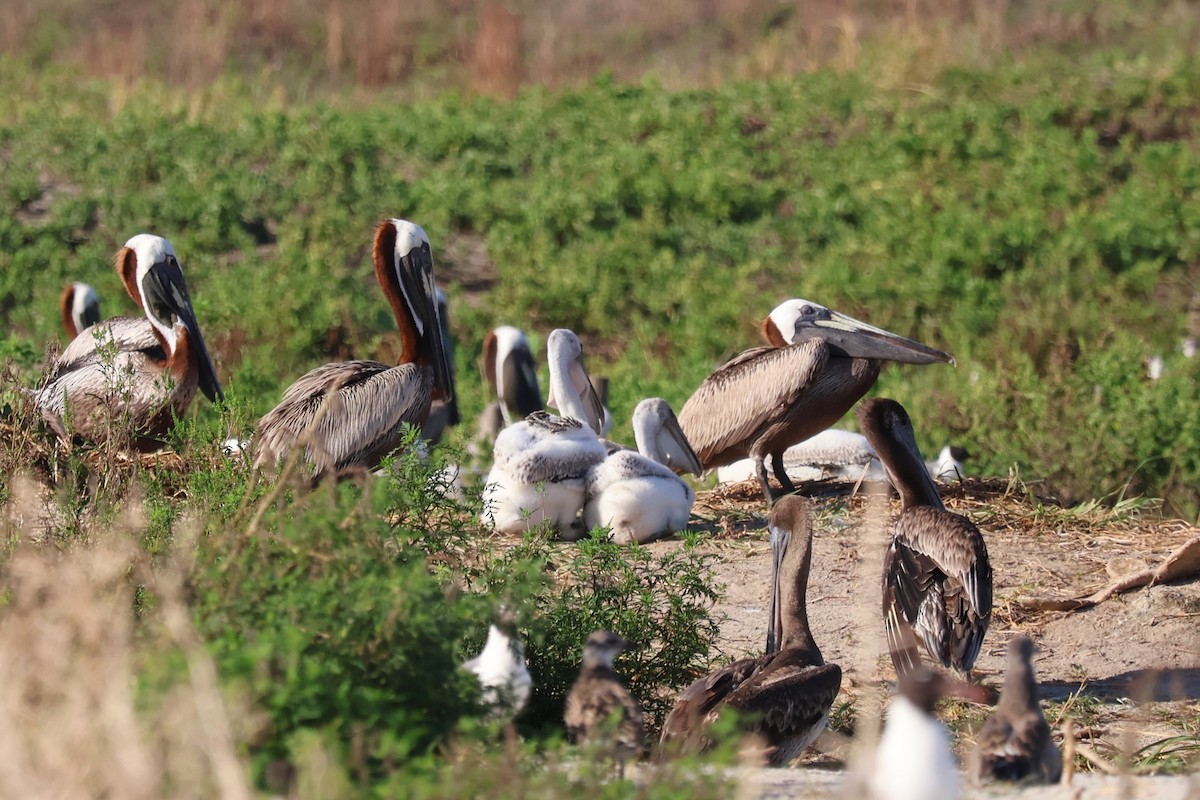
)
(1127, 670)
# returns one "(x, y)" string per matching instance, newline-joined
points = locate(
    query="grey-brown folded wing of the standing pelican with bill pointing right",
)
(745, 396)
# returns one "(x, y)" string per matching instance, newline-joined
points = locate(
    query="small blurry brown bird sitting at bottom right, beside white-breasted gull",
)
(1015, 744)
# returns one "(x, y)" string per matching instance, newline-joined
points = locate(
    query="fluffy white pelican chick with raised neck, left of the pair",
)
(542, 464)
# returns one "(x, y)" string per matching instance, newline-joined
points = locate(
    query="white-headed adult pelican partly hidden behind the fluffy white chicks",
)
(511, 371)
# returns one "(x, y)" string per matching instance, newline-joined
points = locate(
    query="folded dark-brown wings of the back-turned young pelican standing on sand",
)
(938, 580)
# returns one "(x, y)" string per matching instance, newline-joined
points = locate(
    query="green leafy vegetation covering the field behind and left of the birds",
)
(1040, 219)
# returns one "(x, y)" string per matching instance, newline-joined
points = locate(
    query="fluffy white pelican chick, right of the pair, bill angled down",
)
(638, 495)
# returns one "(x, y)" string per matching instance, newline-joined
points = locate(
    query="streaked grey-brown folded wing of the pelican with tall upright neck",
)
(363, 423)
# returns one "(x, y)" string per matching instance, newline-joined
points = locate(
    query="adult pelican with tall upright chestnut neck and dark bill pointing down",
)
(371, 402)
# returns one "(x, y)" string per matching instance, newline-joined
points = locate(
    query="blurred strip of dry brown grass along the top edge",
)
(495, 46)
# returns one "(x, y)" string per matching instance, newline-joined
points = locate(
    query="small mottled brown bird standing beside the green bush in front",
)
(599, 708)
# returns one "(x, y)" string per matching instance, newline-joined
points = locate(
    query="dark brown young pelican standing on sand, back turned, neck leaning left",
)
(937, 575)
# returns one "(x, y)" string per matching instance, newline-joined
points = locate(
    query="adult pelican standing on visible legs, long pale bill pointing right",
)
(767, 399)
